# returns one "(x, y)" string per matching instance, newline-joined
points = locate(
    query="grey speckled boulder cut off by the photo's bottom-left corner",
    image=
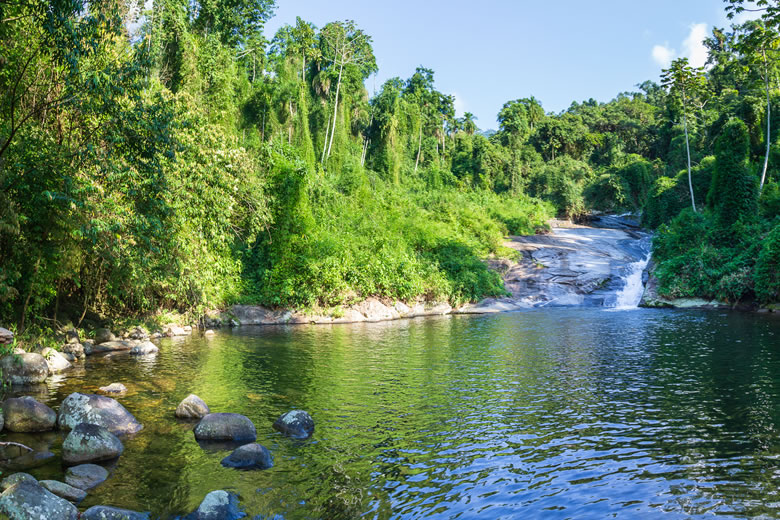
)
(30, 501)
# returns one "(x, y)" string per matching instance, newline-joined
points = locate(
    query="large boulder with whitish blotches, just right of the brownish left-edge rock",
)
(96, 409)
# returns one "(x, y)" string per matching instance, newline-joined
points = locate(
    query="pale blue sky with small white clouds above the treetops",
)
(488, 52)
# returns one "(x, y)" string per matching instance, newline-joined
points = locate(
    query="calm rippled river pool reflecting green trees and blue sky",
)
(554, 413)
